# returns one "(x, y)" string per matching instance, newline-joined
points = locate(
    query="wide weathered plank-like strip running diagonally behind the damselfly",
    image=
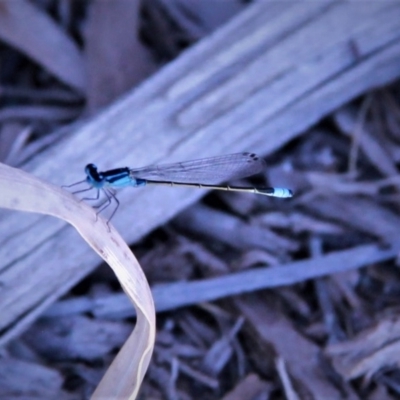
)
(255, 84)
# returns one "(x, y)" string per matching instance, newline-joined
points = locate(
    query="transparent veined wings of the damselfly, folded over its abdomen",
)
(212, 170)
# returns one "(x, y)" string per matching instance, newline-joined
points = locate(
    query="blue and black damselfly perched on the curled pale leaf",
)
(206, 173)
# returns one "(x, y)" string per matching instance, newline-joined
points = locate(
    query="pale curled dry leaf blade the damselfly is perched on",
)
(23, 192)
